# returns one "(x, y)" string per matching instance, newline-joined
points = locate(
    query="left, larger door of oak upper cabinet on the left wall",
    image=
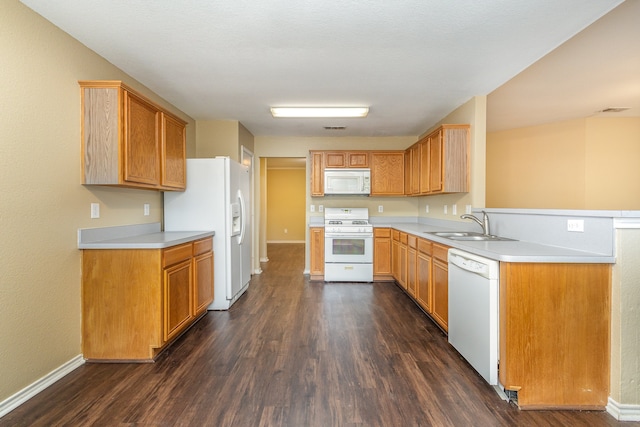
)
(141, 160)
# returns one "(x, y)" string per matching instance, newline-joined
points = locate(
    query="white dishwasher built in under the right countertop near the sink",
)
(473, 311)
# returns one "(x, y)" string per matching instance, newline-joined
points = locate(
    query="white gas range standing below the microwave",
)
(348, 248)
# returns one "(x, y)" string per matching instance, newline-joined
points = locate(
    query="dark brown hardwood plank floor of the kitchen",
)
(294, 353)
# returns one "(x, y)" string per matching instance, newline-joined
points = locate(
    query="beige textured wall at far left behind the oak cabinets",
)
(43, 203)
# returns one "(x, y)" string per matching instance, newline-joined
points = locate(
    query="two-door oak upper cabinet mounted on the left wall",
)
(129, 141)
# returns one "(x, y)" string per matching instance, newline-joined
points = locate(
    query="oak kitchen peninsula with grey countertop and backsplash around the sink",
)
(554, 296)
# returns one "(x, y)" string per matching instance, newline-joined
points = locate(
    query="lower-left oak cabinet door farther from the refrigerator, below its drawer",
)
(177, 298)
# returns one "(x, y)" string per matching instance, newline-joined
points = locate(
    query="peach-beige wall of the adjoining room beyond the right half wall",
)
(579, 164)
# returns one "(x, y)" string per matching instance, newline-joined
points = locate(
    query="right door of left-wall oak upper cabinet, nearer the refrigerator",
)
(174, 154)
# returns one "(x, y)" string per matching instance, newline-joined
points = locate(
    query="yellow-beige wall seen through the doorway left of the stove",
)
(286, 193)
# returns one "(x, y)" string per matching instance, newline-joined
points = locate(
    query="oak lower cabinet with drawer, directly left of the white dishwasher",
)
(440, 285)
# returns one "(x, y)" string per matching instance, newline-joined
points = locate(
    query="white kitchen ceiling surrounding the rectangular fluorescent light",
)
(410, 61)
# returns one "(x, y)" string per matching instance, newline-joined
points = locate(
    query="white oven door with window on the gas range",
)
(348, 248)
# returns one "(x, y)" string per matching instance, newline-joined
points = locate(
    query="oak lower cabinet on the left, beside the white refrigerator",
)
(136, 301)
